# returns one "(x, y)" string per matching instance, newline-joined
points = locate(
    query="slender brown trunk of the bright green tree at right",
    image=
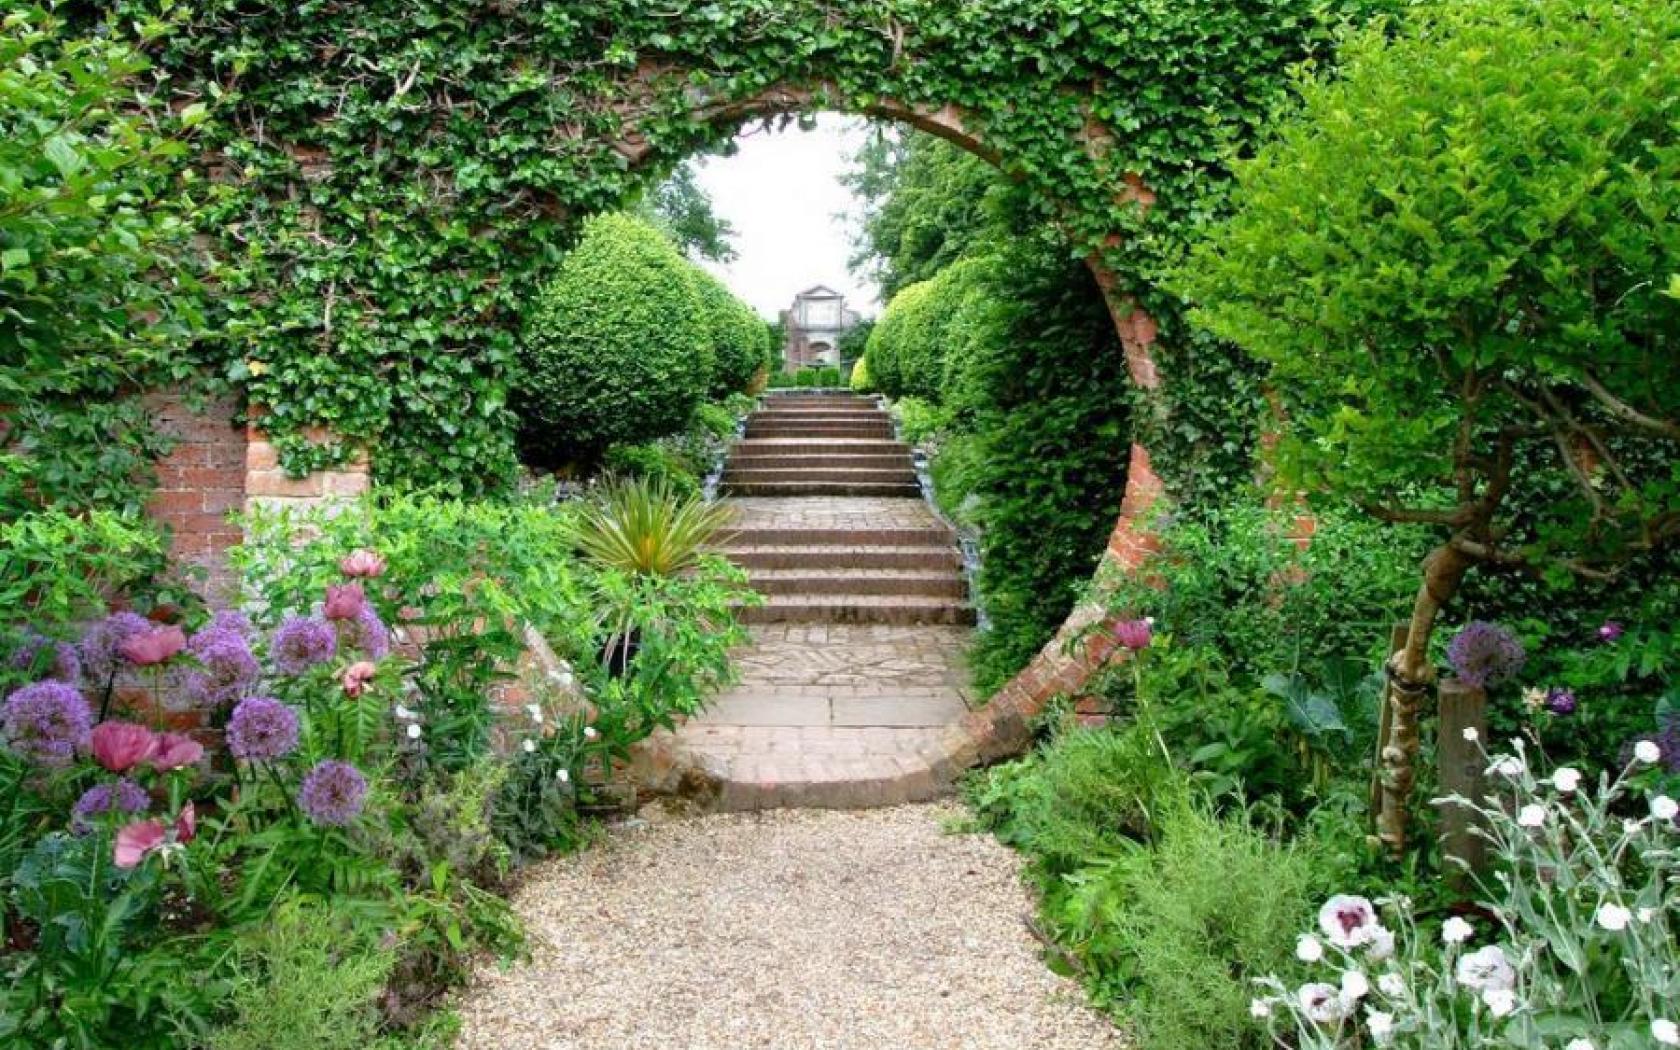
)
(1410, 676)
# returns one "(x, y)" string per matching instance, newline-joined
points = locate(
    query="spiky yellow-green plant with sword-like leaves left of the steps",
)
(641, 527)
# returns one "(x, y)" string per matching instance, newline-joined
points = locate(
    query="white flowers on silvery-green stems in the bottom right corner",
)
(1575, 945)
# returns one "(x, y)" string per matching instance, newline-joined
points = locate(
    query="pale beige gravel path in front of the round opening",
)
(784, 930)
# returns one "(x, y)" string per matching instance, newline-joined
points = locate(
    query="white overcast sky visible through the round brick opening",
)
(784, 197)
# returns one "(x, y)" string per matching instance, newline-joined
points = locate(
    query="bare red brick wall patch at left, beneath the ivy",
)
(199, 483)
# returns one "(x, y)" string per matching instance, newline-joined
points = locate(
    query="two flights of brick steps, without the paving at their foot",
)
(831, 522)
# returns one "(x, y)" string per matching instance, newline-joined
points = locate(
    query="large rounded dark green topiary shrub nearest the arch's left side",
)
(617, 349)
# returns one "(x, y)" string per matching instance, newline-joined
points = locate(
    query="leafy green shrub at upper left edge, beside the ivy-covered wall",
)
(98, 281)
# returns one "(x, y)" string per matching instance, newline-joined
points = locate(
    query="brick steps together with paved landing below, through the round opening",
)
(856, 666)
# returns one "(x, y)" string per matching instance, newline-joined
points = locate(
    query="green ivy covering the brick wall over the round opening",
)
(399, 176)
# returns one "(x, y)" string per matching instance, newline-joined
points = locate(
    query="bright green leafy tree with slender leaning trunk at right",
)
(1459, 263)
